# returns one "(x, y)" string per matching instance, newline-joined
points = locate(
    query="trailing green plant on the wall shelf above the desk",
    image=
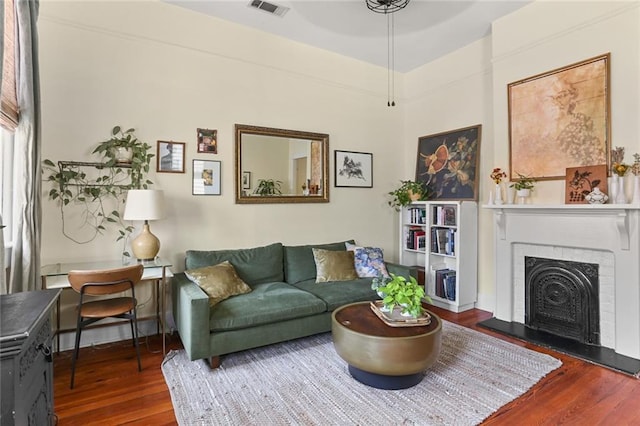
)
(94, 194)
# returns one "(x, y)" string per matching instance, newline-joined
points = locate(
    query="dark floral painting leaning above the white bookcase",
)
(448, 162)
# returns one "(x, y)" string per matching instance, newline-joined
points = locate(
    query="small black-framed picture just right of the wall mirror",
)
(353, 169)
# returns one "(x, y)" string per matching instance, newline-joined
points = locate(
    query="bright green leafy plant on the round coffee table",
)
(405, 293)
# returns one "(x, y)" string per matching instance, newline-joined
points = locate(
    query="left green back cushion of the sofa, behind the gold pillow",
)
(253, 265)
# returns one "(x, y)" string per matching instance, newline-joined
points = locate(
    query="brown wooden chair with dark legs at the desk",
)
(102, 283)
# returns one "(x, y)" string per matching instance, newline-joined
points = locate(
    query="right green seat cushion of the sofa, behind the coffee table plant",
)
(338, 293)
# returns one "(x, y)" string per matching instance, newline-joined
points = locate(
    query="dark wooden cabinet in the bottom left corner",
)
(26, 396)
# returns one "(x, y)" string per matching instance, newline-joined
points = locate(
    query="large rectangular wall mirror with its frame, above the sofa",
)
(281, 166)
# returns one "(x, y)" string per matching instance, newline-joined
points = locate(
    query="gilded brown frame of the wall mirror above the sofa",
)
(247, 196)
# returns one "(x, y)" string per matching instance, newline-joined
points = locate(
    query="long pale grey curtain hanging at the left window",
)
(25, 255)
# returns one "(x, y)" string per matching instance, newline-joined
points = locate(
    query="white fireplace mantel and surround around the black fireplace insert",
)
(582, 232)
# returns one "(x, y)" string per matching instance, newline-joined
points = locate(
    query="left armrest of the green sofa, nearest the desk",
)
(191, 314)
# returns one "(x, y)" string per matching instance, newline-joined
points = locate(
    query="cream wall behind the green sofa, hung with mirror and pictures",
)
(167, 71)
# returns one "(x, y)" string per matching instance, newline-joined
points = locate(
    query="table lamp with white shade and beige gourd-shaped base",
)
(144, 204)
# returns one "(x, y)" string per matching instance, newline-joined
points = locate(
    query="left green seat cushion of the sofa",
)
(267, 303)
